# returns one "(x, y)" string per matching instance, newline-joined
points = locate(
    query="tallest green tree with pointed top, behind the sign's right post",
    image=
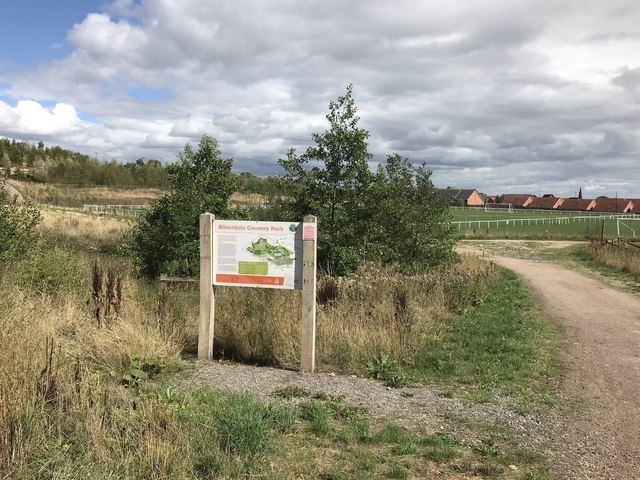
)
(331, 180)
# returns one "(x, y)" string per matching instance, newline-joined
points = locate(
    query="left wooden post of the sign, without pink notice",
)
(207, 300)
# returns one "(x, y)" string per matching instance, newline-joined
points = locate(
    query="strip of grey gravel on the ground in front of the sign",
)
(427, 408)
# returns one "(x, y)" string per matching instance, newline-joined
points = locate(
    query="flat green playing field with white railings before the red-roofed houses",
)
(472, 223)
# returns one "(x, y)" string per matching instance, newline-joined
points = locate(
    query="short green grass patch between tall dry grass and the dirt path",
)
(503, 346)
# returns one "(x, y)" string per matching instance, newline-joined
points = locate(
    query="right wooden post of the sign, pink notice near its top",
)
(309, 260)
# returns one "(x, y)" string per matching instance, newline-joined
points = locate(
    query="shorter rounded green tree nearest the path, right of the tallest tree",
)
(410, 217)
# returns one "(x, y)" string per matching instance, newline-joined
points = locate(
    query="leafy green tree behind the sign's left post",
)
(166, 237)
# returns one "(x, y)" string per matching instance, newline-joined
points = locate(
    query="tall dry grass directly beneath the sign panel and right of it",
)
(379, 310)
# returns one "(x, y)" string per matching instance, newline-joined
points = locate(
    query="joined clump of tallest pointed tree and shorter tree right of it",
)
(393, 217)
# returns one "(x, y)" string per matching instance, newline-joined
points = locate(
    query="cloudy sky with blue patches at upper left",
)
(516, 96)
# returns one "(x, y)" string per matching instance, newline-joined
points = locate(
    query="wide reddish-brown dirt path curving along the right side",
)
(600, 437)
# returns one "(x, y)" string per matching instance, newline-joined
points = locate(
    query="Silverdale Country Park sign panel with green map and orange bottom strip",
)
(257, 254)
